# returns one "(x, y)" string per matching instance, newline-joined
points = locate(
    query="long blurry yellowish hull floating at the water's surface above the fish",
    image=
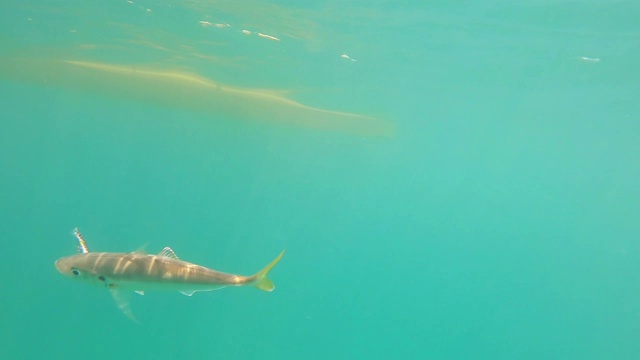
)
(187, 91)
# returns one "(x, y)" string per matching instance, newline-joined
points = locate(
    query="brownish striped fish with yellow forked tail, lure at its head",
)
(139, 272)
